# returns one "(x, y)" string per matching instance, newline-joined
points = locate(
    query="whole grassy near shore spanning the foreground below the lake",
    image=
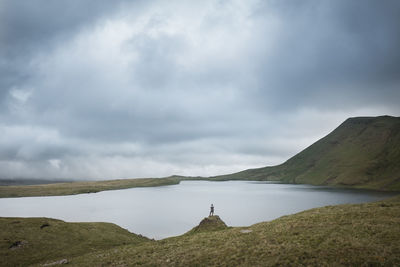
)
(352, 235)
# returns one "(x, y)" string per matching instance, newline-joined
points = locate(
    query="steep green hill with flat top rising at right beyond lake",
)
(362, 152)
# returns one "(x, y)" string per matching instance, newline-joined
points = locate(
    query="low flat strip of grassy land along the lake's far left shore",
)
(74, 188)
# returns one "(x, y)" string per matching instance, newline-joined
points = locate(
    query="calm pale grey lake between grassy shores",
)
(159, 212)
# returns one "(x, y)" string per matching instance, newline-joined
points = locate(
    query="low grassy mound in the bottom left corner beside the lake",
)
(26, 241)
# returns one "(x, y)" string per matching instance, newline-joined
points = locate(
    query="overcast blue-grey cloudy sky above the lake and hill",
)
(124, 89)
